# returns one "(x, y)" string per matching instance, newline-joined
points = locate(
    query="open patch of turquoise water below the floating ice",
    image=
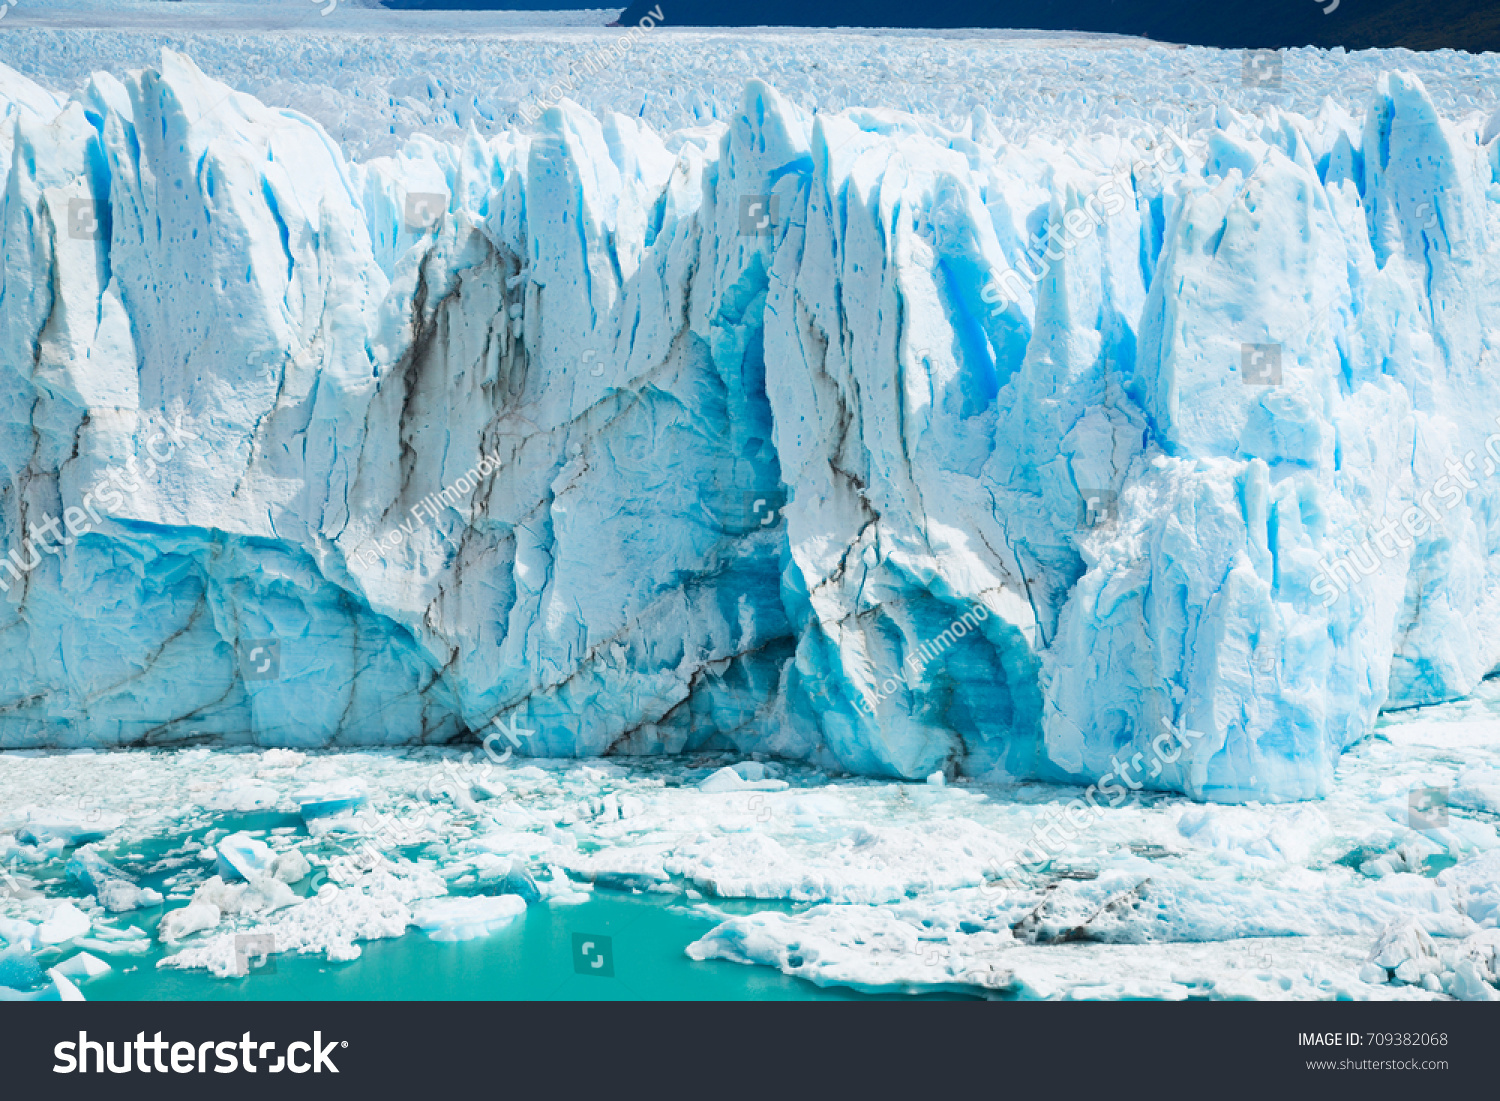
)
(532, 959)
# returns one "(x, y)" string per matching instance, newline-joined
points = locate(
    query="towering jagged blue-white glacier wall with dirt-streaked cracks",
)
(730, 439)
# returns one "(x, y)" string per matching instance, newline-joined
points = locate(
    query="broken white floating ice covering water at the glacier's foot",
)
(851, 883)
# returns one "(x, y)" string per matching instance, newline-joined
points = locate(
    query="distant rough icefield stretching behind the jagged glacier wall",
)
(374, 79)
